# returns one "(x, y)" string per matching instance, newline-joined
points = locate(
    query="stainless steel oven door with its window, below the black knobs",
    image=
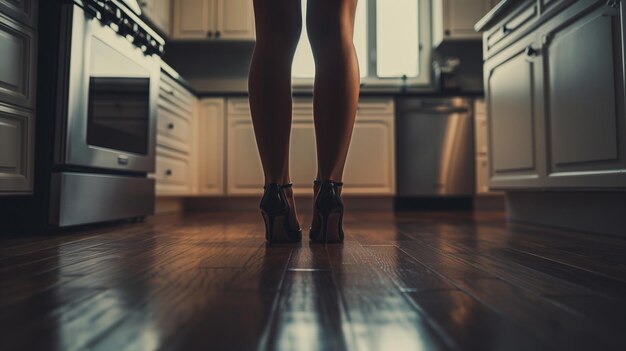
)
(112, 89)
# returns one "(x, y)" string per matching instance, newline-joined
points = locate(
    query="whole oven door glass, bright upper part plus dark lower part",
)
(119, 101)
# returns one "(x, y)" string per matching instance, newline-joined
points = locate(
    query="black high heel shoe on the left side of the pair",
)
(275, 211)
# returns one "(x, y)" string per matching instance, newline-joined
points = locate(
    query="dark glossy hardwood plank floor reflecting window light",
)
(405, 281)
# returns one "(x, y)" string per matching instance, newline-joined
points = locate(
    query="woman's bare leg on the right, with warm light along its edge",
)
(330, 26)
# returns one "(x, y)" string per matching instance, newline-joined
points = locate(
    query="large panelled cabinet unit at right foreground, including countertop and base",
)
(554, 86)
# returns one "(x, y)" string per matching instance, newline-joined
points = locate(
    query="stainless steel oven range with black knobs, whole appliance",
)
(107, 89)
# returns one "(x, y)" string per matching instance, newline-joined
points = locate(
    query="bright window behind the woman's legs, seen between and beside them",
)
(389, 38)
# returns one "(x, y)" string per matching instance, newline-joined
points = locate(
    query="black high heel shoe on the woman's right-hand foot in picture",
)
(329, 213)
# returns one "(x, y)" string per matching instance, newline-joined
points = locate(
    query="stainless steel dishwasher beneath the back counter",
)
(435, 147)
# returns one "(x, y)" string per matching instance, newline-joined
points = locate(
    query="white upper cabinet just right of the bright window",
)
(455, 19)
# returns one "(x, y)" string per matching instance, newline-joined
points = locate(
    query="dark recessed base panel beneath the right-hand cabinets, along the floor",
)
(593, 212)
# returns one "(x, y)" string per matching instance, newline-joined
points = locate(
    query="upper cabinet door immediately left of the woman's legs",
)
(235, 19)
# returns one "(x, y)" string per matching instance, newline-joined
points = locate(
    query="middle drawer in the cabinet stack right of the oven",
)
(173, 130)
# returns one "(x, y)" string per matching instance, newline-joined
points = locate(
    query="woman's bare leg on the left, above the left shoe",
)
(278, 28)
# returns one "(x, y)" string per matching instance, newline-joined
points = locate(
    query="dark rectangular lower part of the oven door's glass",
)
(119, 110)
